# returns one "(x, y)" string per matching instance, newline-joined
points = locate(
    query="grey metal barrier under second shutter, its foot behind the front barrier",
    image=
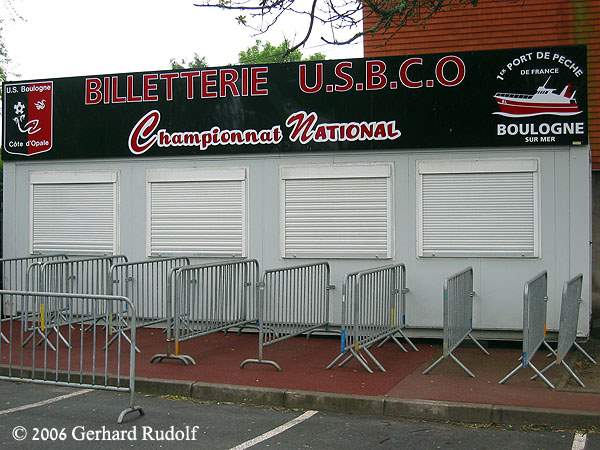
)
(147, 285)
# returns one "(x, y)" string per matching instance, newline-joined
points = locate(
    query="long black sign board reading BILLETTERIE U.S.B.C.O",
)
(503, 98)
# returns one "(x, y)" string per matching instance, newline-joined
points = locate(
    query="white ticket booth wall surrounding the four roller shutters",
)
(565, 229)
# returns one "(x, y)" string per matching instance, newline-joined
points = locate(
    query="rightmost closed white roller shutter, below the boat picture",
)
(478, 208)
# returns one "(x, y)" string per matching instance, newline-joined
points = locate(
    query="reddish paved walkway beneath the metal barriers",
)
(304, 360)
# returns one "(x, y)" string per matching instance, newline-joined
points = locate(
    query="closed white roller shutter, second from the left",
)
(197, 213)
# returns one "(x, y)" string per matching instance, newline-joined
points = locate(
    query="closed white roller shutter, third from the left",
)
(336, 212)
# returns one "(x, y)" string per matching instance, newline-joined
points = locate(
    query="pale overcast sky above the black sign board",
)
(79, 37)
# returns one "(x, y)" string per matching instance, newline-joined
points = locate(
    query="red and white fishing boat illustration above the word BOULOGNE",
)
(544, 101)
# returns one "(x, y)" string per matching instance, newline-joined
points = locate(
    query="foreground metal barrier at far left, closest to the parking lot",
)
(88, 363)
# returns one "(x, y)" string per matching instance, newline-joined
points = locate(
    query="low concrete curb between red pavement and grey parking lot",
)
(374, 406)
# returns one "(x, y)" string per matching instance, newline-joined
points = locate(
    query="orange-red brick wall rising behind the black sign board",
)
(495, 24)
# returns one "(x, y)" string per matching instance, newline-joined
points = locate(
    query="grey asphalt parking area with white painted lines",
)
(222, 426)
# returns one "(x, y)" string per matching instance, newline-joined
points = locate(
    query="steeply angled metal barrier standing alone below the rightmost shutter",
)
(458, 317)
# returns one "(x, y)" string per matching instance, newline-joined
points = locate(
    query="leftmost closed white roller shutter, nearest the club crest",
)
(74, 213)
